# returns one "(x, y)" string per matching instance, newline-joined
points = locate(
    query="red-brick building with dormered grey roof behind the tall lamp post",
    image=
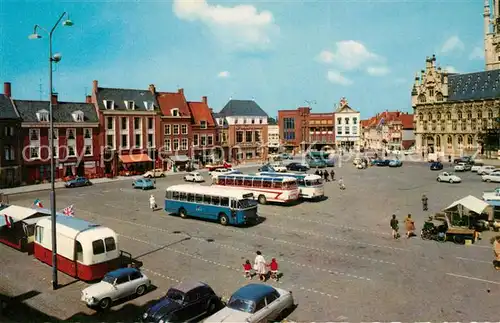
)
(76, 139)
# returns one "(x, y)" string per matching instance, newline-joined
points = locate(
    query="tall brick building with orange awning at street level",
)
(129, 120)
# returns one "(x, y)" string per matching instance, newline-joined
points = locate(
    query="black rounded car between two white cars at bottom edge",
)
(187, 301)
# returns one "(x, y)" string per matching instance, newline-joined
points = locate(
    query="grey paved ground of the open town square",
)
(337, 255)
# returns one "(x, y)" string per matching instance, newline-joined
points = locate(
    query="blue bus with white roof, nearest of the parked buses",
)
(235, 207)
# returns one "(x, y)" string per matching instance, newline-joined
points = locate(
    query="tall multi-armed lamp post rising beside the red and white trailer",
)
(52, 59)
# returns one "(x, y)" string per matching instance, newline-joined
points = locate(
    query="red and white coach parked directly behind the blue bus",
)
(265, 188)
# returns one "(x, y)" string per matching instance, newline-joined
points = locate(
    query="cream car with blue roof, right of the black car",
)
(254, 303)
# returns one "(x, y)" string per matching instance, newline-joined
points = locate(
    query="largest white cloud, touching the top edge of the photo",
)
(241, 27)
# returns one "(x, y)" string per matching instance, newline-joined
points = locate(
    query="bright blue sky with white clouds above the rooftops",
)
(280, 53)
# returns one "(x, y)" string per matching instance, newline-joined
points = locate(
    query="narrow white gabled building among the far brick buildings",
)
(347, 126)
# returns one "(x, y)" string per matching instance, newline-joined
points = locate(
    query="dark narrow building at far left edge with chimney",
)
(10, 141)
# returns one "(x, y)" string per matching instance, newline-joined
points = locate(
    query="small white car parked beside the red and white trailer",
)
(116, 285)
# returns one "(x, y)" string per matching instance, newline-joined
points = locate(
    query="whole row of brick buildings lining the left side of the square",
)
(117, 131)
